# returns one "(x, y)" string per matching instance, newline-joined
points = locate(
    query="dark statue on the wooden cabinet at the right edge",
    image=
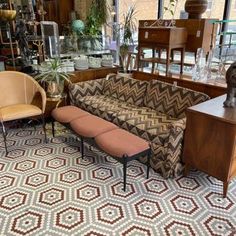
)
(231, 86)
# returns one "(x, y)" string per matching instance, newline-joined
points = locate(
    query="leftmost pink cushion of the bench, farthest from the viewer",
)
(68, 113)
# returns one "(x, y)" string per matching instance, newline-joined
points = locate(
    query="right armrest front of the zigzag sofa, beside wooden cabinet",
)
(174, 145)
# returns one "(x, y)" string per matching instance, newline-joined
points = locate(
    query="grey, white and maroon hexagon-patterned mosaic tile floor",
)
(47, 189)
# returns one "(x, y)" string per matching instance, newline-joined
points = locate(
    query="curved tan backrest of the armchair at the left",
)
(17, 88)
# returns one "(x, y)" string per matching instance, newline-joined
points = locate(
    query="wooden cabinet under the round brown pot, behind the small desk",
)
(201, 32)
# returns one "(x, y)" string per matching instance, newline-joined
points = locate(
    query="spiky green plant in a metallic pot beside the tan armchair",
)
(53, 77)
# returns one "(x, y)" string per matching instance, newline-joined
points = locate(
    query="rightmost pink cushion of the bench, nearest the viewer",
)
(119, 142)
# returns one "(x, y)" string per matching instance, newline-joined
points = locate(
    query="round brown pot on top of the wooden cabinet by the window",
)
(195, 8)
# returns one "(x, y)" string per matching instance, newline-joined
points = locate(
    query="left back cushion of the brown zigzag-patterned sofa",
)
(126, 89)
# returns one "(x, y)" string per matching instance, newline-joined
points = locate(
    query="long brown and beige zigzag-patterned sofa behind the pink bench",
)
(151, 109)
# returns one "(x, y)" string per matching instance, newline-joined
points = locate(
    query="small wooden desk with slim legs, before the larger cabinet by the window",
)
(159, 38)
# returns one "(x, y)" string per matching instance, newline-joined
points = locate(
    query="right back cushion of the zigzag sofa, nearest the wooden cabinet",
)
(171, 100)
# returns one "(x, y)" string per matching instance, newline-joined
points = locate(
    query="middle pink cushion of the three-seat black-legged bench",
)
(91, 126)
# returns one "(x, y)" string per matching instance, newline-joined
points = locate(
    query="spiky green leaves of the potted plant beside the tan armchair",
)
(53, 71)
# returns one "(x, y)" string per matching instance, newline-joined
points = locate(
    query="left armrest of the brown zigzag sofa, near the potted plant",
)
(85, 88)
